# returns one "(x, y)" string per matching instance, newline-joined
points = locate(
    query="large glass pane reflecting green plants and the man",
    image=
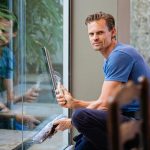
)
(30, 96)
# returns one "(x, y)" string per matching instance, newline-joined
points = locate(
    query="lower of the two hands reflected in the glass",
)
(28, 120)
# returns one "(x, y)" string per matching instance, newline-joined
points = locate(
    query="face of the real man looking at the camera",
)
(99, 35)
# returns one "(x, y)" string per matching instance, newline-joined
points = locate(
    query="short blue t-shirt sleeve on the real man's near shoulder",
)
(118, 67)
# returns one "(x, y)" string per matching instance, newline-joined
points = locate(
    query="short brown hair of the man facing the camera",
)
(110, 21)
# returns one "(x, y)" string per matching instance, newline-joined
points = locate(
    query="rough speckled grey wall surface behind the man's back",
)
(140, 20)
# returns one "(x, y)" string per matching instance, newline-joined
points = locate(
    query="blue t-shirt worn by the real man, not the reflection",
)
(125, 63)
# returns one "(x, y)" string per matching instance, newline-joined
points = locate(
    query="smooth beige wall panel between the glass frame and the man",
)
(87, 73)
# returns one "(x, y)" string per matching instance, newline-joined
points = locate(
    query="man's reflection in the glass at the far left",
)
(8, 30)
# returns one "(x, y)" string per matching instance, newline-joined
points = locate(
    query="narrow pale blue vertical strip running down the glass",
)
(22, 49)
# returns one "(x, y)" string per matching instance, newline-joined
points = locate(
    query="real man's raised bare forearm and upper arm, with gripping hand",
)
(102, 102)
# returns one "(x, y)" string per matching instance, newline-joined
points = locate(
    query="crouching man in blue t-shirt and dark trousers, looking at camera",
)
(122, 63)
